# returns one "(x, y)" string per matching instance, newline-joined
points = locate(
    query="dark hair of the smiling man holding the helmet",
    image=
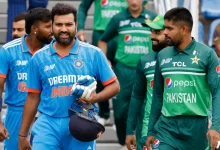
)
(63, 9)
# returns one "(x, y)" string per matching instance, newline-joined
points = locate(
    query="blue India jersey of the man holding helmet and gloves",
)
(53, 76)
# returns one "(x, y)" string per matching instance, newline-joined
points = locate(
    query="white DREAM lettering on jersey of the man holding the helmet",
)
(63, 79)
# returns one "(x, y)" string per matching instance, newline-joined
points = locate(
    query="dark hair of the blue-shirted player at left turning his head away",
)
(34, 16)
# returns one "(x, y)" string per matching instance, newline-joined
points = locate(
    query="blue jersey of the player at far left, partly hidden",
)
(14, 58)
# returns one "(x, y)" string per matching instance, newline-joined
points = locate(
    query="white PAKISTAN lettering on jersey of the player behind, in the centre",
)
(136, 50)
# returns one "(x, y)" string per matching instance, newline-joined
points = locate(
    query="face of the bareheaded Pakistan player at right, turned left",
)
(173, 33)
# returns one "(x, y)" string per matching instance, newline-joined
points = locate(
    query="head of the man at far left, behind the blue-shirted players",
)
(18, 26)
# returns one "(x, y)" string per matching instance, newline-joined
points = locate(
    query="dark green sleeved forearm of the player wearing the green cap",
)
(134, 109)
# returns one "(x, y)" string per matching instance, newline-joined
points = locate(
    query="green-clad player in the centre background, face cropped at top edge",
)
(133, 42)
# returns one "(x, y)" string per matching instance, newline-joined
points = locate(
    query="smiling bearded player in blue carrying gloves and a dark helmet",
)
(54, 70)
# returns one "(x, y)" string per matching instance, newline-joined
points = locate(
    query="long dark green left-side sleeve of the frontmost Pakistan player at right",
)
(157, 101)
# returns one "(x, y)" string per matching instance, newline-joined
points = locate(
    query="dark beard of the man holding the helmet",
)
(64, 41)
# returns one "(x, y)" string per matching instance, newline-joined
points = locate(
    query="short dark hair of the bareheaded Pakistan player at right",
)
(180, 15)
